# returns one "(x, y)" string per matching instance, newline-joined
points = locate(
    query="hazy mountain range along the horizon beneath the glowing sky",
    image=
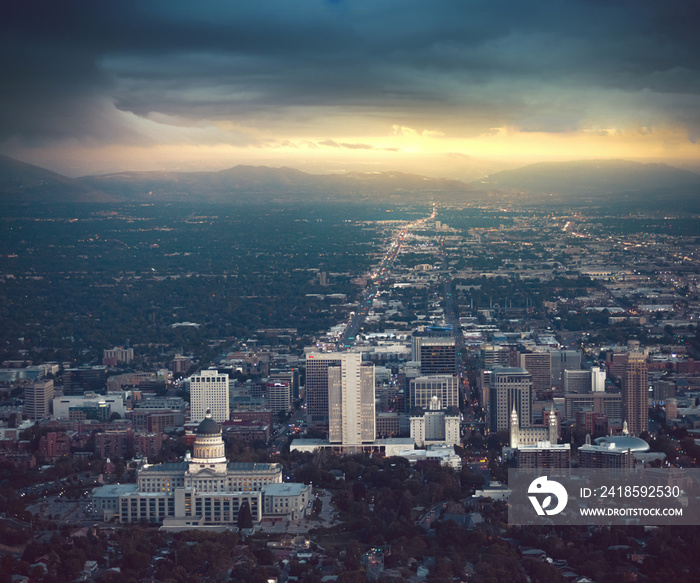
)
(611, 184)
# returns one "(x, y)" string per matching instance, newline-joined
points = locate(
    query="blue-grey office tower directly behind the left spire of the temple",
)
(509, 388)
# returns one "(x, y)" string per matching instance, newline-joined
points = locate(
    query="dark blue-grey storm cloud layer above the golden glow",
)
(80, 68)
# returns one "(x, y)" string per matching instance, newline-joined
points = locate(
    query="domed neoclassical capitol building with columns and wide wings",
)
(203, 490)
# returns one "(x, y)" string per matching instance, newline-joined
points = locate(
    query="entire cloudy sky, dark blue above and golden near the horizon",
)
(445, 88)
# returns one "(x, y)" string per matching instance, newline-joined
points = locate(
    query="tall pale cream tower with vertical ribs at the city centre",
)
(351, 414)
